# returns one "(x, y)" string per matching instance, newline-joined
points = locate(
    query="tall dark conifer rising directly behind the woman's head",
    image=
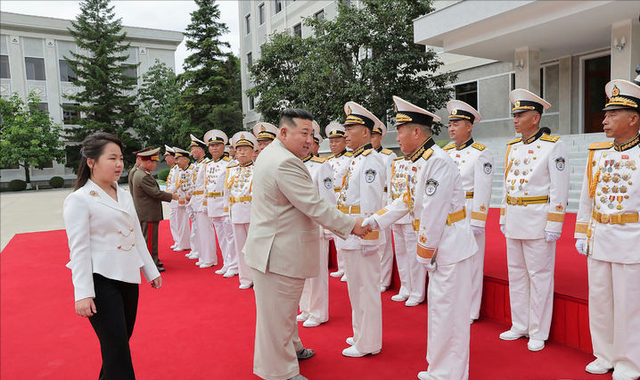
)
(105, 99)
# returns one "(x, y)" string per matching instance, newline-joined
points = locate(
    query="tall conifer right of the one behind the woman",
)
(211, 80)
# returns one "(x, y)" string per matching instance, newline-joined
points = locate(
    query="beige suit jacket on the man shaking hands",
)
(285, 212)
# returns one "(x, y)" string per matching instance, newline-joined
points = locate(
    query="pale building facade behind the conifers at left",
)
(32, 58)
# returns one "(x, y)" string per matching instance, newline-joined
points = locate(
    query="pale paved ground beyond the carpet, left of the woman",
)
(32, 211)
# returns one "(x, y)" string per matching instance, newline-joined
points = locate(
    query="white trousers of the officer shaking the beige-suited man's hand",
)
(448, 329)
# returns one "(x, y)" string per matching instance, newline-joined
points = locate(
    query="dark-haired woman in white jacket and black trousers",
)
(107, 251)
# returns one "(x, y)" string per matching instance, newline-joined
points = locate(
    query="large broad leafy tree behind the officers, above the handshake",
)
(365, 54)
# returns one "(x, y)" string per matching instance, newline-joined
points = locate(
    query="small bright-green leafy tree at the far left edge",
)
(28, 136)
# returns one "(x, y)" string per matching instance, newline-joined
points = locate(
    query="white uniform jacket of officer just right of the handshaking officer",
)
(475, 163)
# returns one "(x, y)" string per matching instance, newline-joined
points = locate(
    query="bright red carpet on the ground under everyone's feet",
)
(200, 326)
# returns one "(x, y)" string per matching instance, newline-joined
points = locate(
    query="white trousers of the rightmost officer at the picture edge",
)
(614, 314)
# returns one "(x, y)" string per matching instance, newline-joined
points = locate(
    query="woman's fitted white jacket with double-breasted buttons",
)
(105, 238)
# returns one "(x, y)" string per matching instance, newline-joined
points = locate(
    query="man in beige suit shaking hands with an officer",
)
(282, 244)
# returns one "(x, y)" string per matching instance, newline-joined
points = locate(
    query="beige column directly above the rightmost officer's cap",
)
(625, 49)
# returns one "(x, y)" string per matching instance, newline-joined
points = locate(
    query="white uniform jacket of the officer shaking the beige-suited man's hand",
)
(435, 199)
